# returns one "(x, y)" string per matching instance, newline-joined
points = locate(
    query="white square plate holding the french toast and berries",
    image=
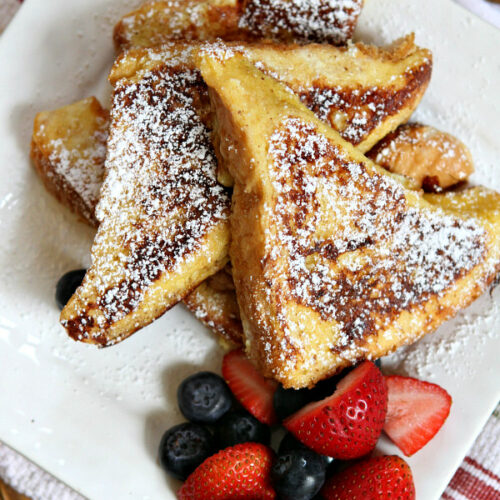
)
(93, 418)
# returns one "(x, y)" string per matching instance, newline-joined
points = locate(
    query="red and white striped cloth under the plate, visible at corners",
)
(478, 478)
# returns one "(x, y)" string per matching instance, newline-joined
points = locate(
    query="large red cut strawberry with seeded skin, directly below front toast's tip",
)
(348, 423)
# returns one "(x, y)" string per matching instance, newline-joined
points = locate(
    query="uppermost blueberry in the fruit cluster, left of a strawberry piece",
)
(204, 397)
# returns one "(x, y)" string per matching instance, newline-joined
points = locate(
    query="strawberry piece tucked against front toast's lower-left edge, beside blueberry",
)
(251, 389)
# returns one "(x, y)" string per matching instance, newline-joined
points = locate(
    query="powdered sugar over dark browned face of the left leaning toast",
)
(160, 199)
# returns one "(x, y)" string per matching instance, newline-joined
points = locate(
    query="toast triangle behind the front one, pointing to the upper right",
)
(362, 91)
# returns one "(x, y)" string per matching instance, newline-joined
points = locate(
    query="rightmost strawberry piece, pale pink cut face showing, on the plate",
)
(415, 412)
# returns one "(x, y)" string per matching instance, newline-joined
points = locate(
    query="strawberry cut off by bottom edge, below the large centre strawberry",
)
(372, 479)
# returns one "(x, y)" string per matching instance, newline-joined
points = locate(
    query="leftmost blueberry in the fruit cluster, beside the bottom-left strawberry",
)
(184, 447)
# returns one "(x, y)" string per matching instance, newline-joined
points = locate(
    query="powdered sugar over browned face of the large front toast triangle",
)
(408, 254)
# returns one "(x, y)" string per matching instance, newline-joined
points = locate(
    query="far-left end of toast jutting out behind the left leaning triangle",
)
(68, 149)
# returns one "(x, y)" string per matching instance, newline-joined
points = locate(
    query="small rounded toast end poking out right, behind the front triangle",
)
(436, 160)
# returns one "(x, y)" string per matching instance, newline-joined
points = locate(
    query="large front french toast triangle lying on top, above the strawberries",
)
(333, 260)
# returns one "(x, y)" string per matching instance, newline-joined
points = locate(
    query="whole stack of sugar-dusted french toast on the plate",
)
(257, 164)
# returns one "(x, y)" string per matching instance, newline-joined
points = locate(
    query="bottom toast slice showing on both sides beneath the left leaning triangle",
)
(73, 151)
